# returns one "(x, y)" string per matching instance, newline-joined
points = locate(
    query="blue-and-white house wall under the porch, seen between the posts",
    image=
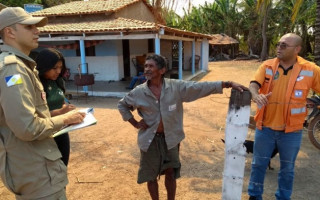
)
(108, 62)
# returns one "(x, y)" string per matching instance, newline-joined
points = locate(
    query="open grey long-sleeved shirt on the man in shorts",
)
(169, 108)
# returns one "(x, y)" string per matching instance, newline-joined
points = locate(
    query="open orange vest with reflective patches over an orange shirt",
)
(301, 80)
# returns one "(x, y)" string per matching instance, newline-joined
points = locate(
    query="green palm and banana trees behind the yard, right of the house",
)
(257, 24)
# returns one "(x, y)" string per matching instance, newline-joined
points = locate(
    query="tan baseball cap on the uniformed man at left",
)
(16, 15)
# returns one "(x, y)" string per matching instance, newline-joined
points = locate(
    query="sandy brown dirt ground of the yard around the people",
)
(104, 158)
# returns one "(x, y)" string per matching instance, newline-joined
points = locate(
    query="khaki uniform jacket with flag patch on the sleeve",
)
(30, 164)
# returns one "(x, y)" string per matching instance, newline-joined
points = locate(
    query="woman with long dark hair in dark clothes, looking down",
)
(51, 67)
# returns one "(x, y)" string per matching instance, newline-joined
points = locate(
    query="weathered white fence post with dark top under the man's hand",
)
(235, 153)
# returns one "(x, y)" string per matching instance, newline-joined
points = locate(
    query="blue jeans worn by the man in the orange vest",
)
(288, 145)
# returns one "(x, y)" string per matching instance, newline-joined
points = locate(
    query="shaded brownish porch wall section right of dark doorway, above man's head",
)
(137, 48)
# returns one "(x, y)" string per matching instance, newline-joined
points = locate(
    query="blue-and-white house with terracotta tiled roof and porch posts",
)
(109, 34)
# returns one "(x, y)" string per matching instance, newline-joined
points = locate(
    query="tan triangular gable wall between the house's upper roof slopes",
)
(137, 11)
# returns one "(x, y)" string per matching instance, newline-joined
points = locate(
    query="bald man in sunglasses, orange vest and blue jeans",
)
(280, 88)
